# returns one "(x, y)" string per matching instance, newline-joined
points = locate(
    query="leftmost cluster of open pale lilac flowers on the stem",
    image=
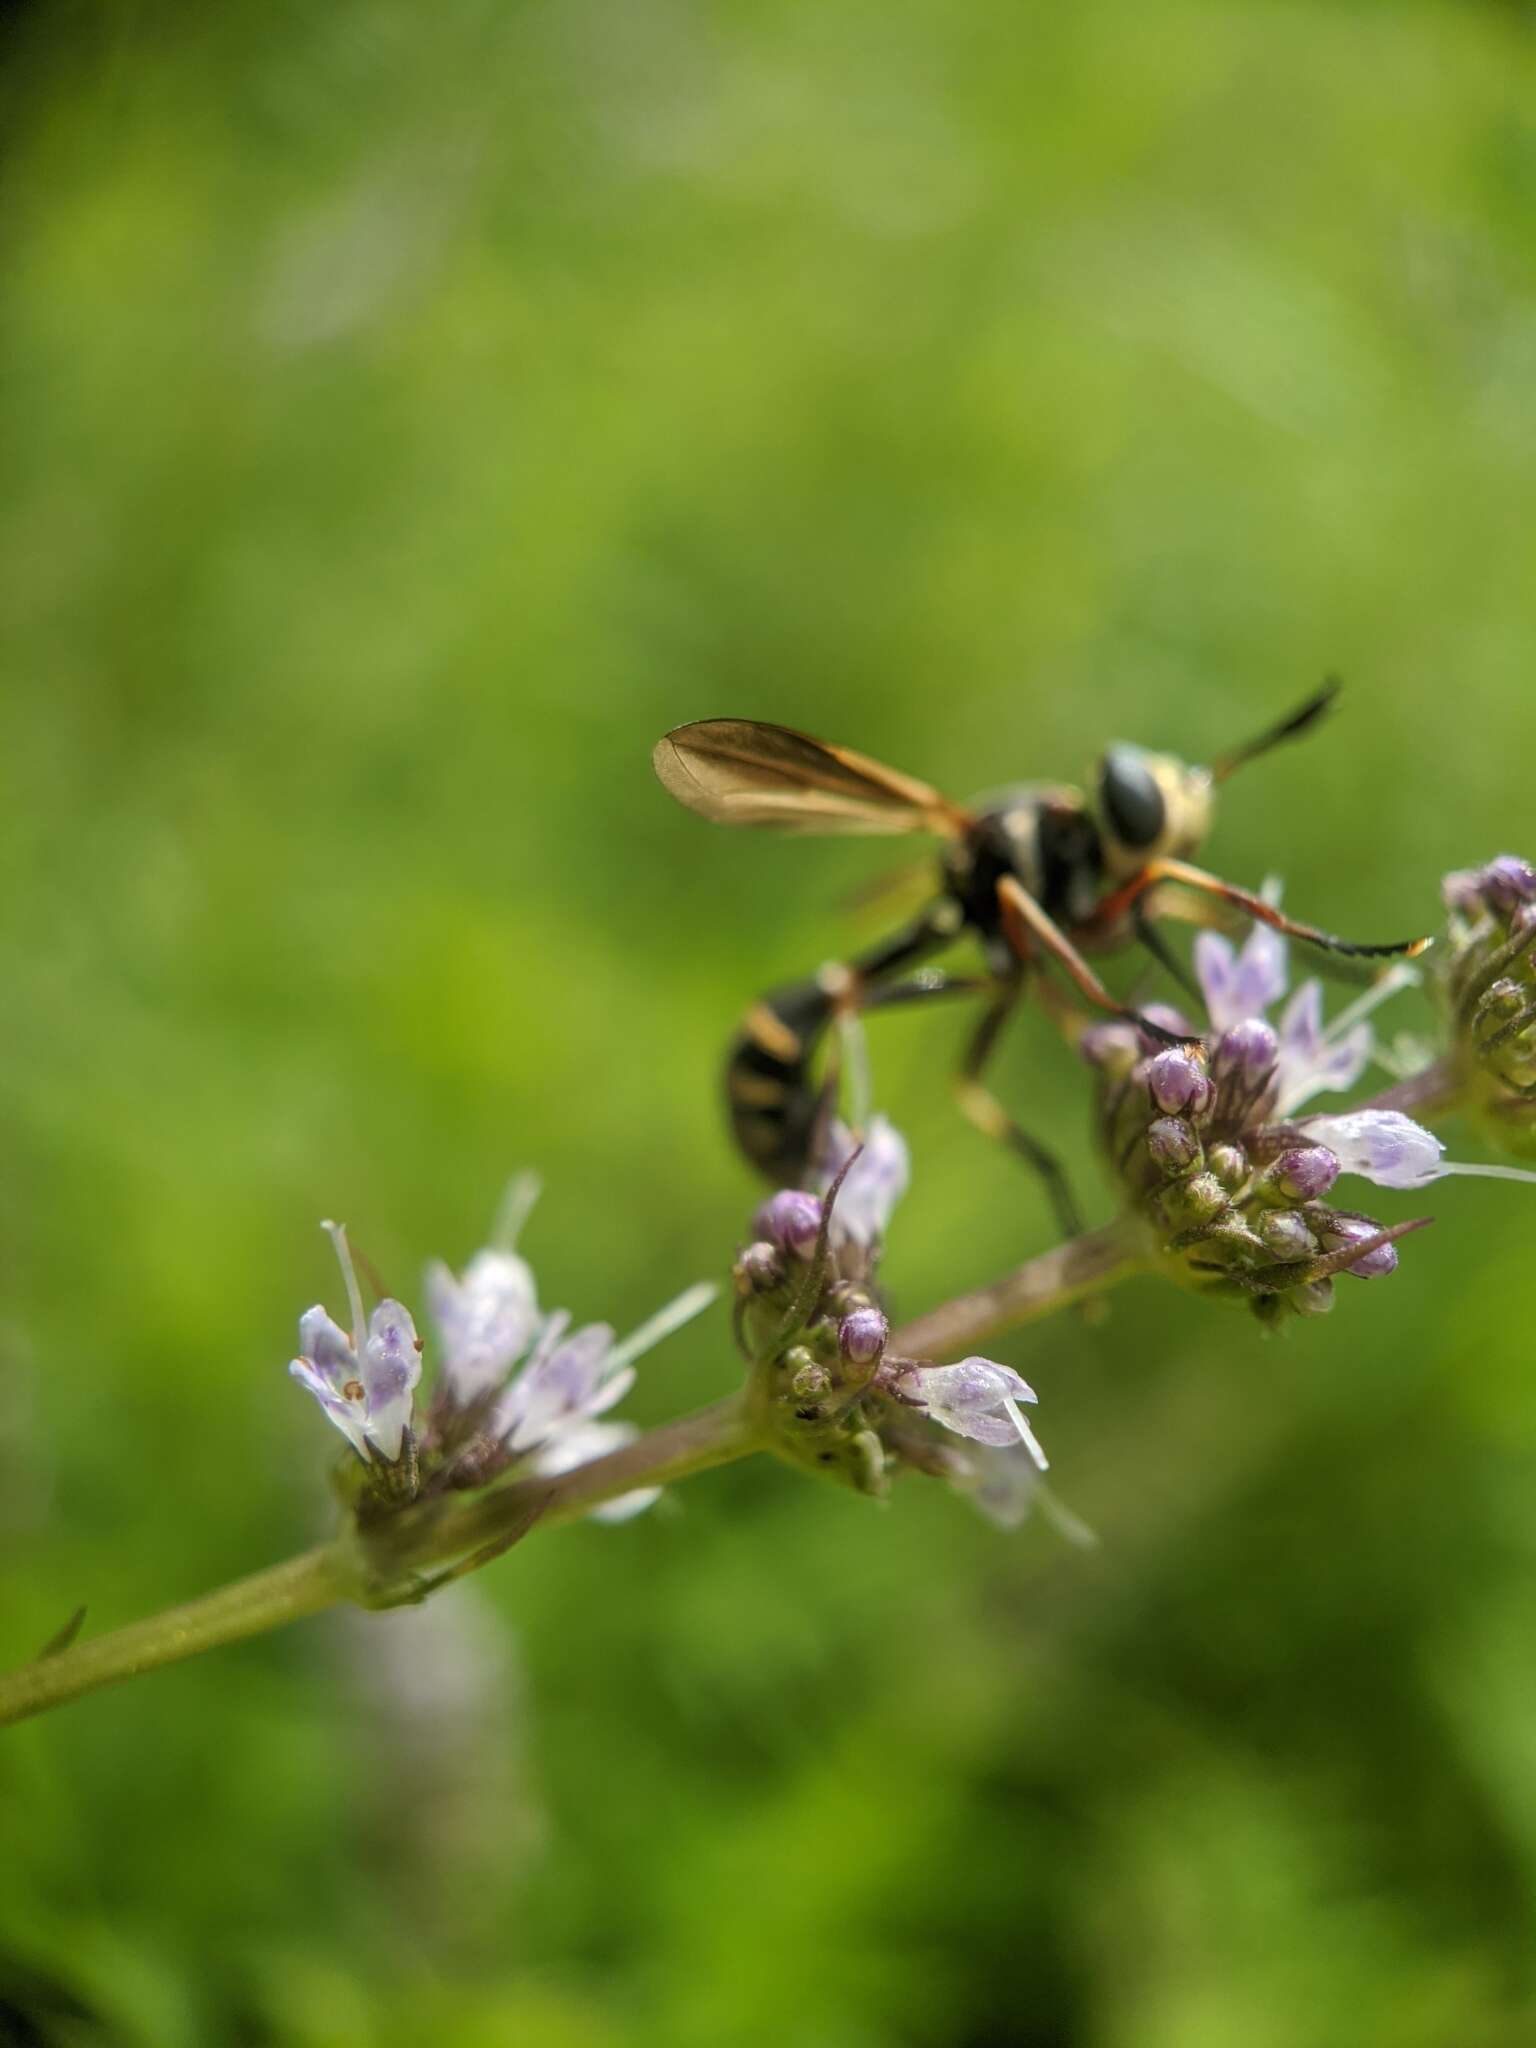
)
(517, 1390)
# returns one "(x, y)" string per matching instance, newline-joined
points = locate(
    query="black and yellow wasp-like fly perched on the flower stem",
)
(1037, 873)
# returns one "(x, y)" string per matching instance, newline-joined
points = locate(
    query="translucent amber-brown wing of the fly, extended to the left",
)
(744, 773)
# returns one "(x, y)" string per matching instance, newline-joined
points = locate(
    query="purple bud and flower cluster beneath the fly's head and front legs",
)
(1207, 1138)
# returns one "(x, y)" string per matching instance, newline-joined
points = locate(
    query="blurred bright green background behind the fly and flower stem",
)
(411, 413)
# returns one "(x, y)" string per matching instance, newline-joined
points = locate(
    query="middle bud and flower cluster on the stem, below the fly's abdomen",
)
(828, 1388)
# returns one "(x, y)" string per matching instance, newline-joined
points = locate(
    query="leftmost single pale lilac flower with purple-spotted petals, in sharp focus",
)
(364, 1383)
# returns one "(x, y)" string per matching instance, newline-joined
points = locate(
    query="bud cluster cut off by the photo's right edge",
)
(1490, 988)
